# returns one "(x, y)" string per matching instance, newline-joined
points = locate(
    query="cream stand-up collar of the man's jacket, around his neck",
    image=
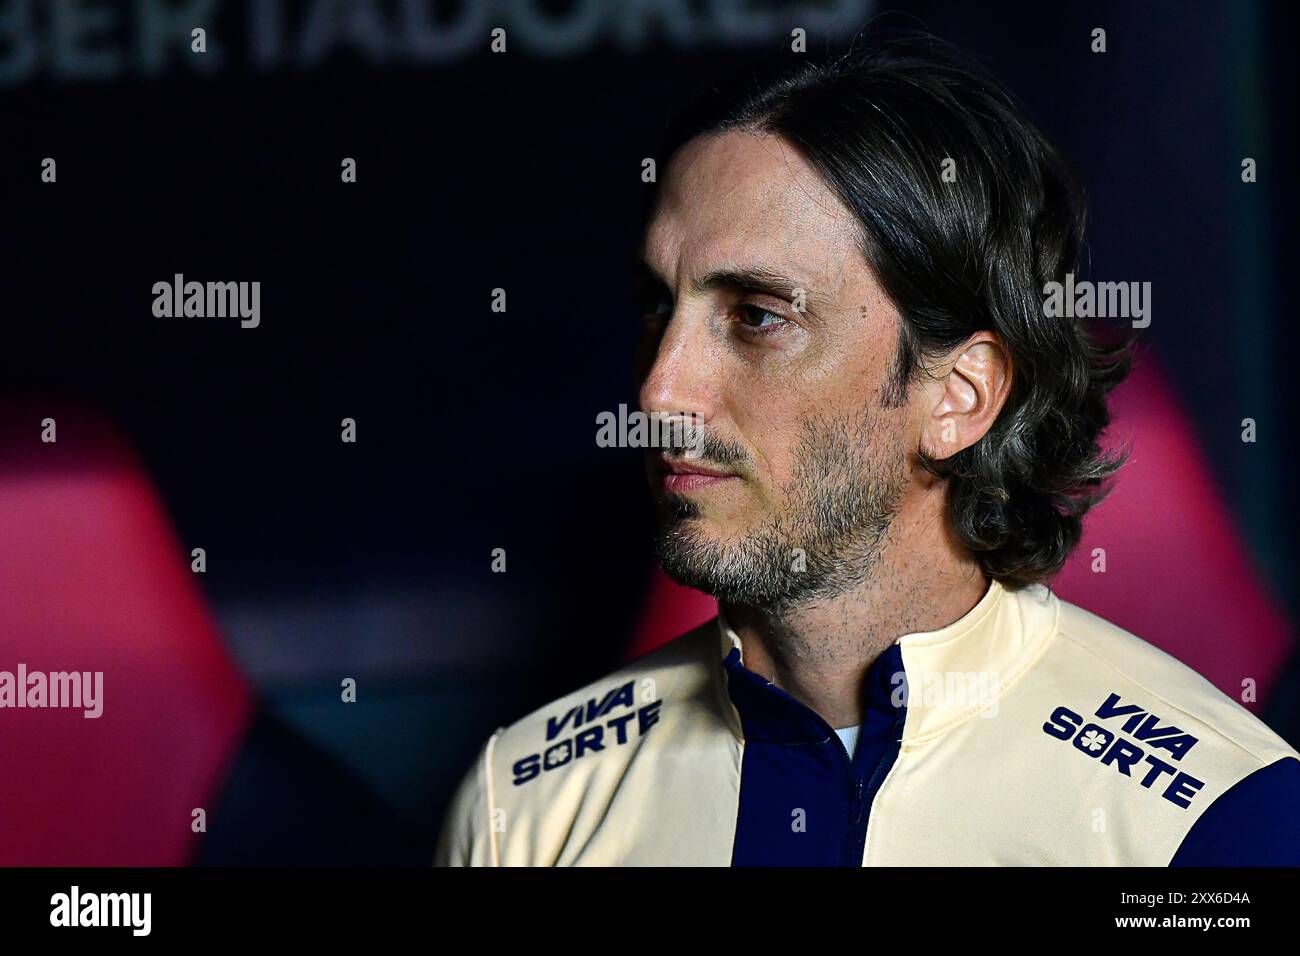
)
(956, 672)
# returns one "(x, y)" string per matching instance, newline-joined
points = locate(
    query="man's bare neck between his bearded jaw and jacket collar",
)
(820, 652)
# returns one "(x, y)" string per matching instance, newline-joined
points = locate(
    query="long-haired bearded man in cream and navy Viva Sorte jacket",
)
(846, 278)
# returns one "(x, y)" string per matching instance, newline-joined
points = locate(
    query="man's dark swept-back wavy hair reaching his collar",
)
(957, 258)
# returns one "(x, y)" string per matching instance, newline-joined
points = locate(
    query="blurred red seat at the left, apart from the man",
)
(94, 579)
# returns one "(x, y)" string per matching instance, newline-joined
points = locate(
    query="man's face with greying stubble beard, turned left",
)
(809, 464)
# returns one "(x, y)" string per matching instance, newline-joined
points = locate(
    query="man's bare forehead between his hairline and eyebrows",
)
(749, 200)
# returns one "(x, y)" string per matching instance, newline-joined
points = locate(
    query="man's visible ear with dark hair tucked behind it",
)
(965, 396)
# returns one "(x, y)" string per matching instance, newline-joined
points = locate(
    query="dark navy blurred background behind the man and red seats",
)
(476, 430)
